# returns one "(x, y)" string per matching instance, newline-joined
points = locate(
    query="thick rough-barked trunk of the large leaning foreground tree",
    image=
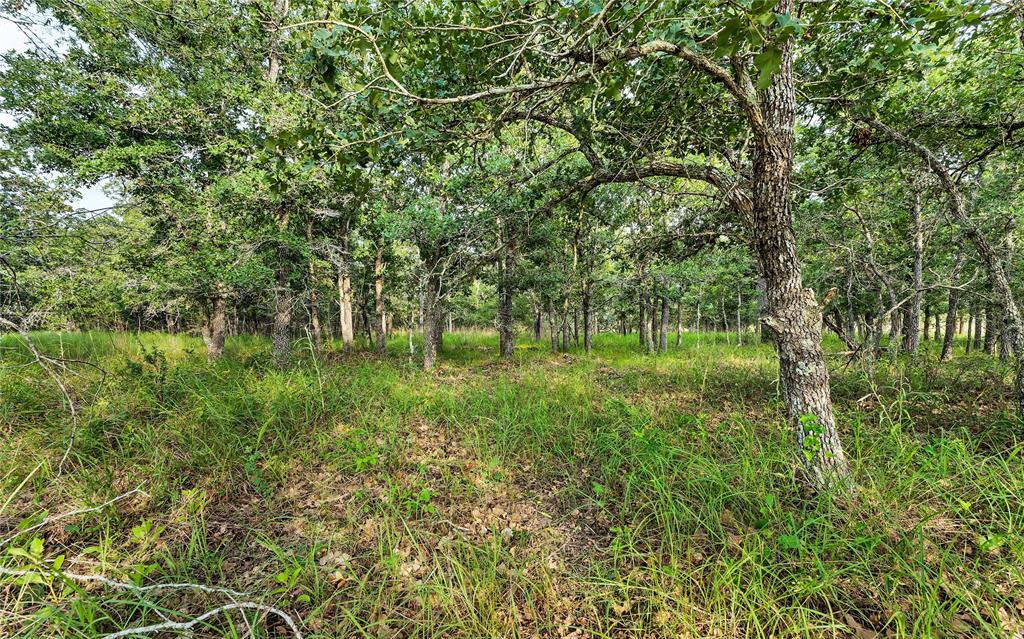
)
(793, 312)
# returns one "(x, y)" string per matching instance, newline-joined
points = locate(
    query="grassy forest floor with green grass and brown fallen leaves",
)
(614, 495)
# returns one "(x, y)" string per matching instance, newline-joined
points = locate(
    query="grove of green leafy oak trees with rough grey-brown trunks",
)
(321, 171)
